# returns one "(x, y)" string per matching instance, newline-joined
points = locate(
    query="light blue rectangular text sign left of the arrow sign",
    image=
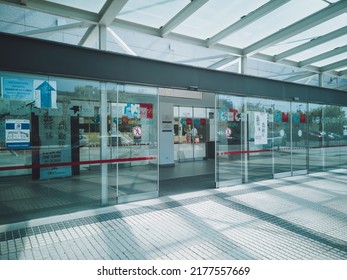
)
(18, 89)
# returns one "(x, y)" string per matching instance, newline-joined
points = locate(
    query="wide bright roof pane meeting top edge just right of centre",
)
(215, 16)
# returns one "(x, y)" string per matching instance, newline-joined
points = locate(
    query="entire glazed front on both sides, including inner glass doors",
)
(70, 144)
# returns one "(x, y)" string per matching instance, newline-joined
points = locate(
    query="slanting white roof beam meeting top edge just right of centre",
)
(181, 16)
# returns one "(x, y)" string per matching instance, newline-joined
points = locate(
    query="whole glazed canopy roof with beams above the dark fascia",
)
(214, 33)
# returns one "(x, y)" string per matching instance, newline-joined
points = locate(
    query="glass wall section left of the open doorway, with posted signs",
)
(70, 144)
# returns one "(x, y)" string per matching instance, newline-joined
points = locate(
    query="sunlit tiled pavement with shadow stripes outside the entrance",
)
(302, 217)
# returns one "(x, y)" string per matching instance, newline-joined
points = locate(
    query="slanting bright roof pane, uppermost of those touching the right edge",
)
(317, 31)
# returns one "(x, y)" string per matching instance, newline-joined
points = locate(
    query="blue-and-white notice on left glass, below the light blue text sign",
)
(17, 134)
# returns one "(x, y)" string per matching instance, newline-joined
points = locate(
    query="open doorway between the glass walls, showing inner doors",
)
(187, 141)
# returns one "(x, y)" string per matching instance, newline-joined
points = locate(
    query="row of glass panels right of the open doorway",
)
(261, 139)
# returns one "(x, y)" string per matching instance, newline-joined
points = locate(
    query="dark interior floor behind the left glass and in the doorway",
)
(22, 198)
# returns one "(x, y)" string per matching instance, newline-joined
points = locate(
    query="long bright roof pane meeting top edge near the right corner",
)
(282, 17)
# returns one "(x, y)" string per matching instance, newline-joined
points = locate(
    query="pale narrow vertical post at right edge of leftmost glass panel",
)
(103, 144)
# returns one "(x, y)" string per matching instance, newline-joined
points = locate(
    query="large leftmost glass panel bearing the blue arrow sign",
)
(48, 124)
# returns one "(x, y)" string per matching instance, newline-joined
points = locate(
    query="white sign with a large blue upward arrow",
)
(45, 94)
